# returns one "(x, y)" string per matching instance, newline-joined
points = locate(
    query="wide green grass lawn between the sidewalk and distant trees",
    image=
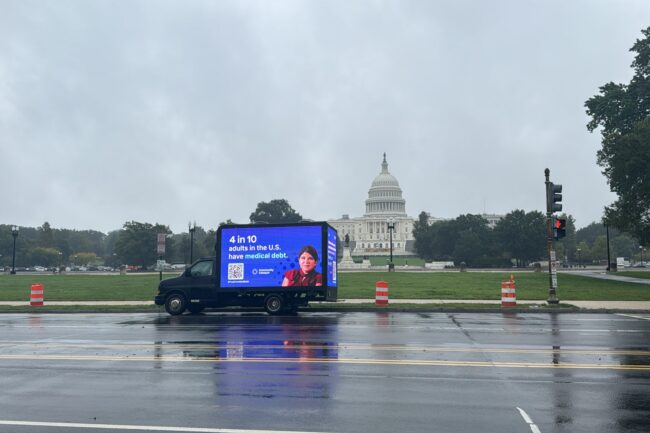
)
(402, 285)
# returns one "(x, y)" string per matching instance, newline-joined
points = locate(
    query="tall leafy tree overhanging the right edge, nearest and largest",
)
(623, 113)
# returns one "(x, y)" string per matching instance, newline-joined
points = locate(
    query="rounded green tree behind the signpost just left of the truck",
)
(136, 243)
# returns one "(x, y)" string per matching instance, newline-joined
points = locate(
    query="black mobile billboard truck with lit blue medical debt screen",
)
(279, 267)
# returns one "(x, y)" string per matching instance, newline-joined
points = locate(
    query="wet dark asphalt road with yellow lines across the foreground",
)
(325, 372)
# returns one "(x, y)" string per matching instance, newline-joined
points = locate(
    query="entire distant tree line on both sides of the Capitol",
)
(517, 239)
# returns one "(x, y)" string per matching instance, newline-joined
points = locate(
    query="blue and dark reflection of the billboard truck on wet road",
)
(262, 356)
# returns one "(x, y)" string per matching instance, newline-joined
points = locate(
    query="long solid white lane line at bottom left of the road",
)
(138, 427)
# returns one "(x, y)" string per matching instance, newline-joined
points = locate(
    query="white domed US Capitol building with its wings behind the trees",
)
(369, 234)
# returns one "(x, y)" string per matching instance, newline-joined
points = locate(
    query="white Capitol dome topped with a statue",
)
(385, 195)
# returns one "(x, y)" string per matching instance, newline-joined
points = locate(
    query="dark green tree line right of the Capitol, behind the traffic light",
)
(518, 239)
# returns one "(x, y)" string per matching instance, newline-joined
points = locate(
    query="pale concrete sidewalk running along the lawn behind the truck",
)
(588, 305)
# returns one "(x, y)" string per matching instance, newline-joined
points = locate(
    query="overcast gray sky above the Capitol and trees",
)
(170, 111)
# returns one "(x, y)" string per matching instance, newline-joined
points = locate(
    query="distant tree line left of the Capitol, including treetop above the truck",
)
(134, 244)
